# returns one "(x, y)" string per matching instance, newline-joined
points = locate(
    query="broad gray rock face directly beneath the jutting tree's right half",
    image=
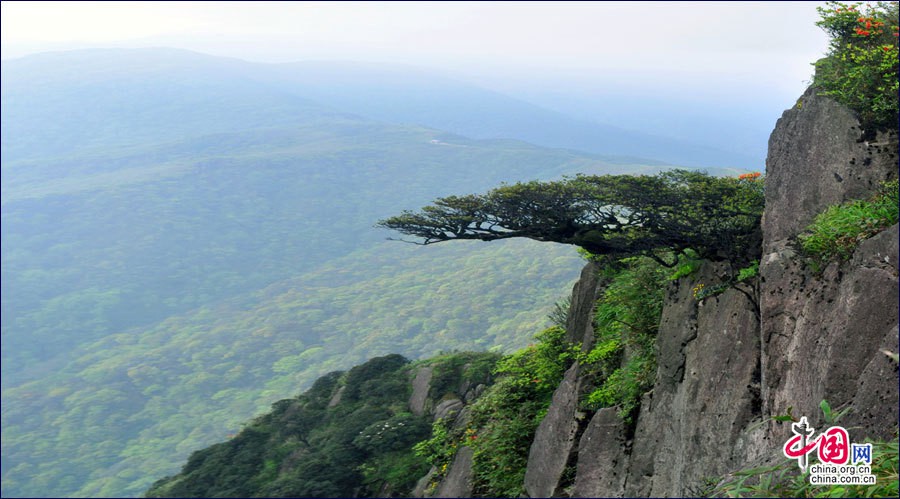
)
(706, 392)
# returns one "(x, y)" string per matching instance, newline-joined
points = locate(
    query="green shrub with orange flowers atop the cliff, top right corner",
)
(860, 69)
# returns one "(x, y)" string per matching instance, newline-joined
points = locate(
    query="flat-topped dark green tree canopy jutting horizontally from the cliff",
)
(616, 215)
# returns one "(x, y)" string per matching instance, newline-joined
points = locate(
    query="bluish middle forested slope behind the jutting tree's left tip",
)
(137, 238)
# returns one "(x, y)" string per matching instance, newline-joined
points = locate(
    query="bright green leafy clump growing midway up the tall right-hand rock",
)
(836, 232)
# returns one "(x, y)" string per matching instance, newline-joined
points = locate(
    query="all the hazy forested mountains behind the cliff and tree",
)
(186, 239)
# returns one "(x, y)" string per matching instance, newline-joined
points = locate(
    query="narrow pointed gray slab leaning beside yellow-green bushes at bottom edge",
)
(555, 439)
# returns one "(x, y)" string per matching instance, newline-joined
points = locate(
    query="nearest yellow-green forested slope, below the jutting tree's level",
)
(134, 401)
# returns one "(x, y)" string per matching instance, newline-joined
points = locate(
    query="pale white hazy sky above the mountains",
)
(769, 41)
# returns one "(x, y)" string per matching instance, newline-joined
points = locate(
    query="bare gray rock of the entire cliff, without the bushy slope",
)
(725, 365)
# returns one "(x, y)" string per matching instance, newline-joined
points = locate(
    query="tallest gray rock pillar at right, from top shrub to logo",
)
(822, 334)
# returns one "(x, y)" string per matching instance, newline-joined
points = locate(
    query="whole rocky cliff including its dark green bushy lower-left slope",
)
(725, 365)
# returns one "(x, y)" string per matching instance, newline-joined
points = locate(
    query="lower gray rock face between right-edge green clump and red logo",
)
(823, 335)
